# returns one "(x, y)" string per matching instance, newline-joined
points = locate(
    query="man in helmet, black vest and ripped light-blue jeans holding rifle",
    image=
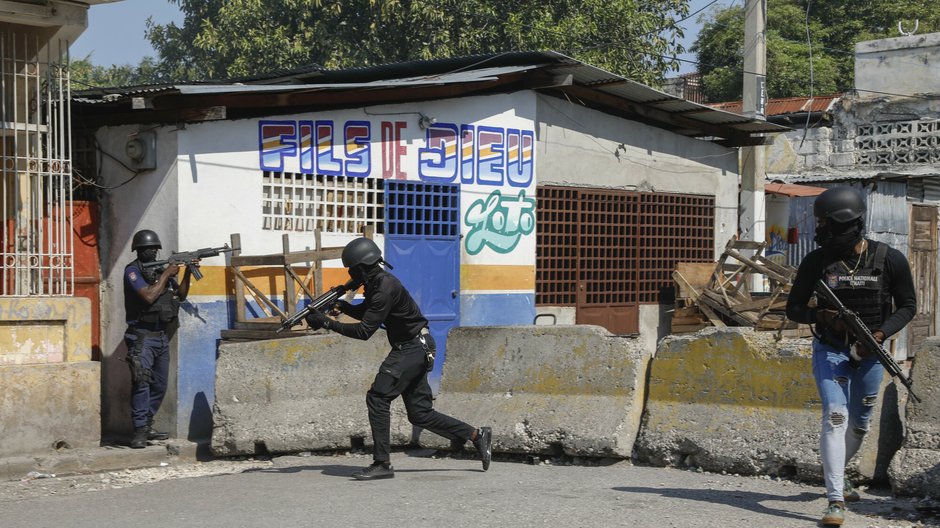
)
(872, 279)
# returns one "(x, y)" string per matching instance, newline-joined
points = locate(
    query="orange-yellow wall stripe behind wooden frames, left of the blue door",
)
(220, 281)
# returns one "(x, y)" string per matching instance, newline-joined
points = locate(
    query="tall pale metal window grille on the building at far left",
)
(35, 168)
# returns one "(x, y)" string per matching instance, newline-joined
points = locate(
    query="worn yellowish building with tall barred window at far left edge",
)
(51, 386)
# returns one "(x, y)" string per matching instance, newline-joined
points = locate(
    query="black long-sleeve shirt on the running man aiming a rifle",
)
(387, 303)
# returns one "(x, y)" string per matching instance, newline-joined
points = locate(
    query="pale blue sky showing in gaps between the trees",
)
(115, 33)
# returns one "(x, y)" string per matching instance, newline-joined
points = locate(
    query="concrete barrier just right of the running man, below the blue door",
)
(545, 389)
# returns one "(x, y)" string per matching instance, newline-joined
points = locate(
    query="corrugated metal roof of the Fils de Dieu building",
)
(683, 116)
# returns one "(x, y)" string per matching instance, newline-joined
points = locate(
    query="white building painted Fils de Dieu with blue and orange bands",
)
(501, 187)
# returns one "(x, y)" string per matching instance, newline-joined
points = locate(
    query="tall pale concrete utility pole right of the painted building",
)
(752, 223)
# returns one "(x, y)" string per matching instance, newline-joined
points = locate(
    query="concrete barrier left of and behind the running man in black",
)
(298, 394)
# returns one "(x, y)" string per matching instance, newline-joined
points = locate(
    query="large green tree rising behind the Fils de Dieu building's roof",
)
(224, 39)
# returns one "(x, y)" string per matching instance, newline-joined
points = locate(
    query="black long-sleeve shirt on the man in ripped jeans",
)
(899, 283)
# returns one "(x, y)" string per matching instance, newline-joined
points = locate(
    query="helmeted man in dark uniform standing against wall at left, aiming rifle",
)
(151, 302)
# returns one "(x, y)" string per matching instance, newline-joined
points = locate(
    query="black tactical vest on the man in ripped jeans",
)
(862, 289)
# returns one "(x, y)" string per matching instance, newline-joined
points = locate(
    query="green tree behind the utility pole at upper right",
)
(834, 27)
